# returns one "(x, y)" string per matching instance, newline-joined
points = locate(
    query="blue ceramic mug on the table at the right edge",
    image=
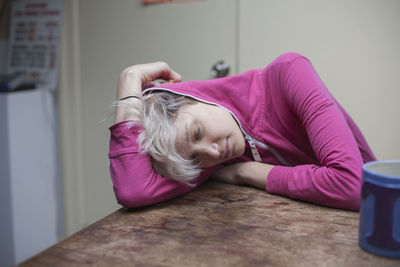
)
(380, 208)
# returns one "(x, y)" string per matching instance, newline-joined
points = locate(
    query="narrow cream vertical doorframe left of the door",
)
(70, 120)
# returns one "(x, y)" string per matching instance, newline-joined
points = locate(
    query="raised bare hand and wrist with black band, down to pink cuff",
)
(133, 79)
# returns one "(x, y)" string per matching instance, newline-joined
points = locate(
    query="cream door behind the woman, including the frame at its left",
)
(102, 37)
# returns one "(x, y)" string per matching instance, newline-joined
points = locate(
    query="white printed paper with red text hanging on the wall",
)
(35, 39)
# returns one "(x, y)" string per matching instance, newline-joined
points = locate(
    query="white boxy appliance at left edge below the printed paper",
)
(30, 183)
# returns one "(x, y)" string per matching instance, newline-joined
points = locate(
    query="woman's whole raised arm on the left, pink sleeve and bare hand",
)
(135, 182)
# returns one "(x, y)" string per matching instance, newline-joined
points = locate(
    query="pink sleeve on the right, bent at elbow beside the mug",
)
(336, 180)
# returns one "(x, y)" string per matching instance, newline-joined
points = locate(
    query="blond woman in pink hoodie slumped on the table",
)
(276, 128)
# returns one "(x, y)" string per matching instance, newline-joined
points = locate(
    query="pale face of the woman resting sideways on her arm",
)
(208, 133)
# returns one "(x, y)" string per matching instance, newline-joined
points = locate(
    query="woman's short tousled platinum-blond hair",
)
(159, 111)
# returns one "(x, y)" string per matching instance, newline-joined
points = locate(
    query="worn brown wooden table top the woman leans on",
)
(217, 225)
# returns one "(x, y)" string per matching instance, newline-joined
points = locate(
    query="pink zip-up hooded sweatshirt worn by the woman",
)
(289, 120)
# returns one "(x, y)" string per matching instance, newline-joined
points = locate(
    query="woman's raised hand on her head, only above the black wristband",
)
(134, 78)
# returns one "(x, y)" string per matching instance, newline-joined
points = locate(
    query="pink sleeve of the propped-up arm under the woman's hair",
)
(134, 180)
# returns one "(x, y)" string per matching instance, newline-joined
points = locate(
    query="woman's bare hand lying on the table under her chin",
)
(250, 173)
